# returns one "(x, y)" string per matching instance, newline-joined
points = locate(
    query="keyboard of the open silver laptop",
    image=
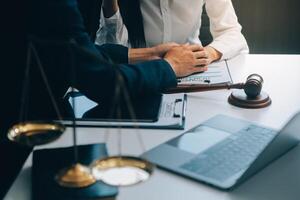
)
(232, 154)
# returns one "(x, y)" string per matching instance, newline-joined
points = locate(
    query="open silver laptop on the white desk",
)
(225, 151)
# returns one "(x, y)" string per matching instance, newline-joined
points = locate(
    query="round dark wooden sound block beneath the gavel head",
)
(240, 99)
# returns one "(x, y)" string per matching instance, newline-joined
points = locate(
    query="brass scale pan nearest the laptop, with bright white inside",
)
(122, 170)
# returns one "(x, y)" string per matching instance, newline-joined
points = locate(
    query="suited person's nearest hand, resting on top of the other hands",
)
(187, 59)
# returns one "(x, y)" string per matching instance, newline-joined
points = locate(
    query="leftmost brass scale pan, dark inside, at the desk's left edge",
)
(35, 133)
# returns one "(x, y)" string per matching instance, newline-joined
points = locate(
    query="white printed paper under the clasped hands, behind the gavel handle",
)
(217, 72)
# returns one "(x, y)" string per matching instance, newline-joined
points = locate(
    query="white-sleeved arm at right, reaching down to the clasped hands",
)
(226, 31)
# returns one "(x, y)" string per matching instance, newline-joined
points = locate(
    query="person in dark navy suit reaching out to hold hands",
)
(55, 28)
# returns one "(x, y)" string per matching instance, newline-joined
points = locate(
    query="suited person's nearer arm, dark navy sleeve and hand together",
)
(141, 78)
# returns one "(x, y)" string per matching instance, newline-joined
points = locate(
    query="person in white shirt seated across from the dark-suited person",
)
(147, 23)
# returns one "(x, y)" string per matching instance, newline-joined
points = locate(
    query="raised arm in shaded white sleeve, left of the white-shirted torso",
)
(111, 27)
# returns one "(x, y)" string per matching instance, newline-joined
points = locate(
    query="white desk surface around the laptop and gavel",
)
(280, 180)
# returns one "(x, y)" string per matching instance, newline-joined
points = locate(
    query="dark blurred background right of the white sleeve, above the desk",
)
(270, 26)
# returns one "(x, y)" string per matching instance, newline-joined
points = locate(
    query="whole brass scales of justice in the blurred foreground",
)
(116, 170)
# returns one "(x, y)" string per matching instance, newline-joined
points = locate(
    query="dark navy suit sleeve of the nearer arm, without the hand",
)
(96, 78)
